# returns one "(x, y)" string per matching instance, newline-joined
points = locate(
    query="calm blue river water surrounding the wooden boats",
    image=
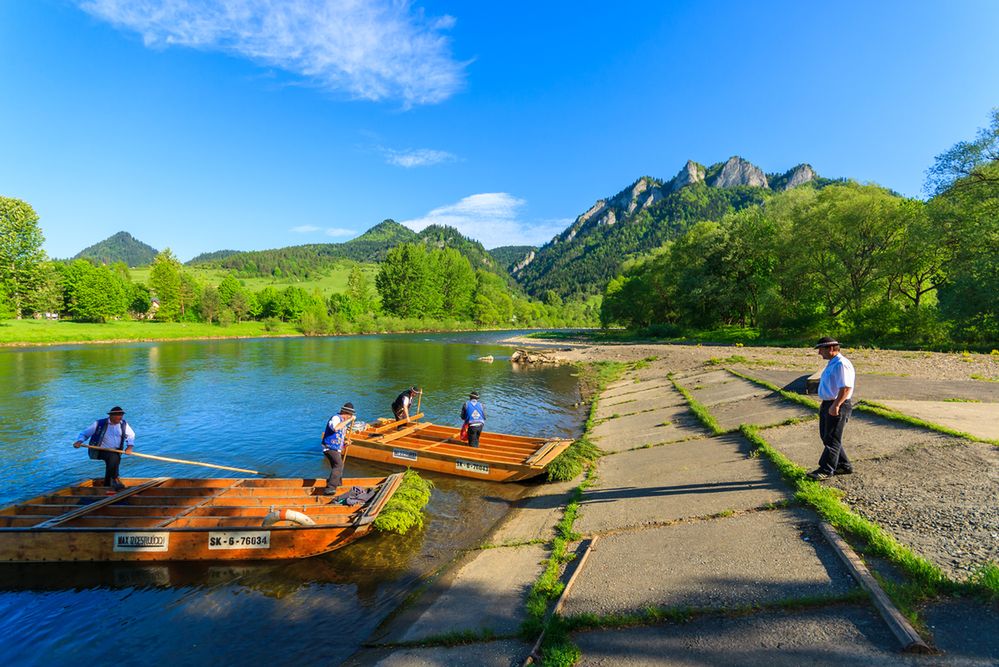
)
(257, 404)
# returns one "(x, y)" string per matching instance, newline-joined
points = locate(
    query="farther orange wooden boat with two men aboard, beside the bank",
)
(498, 458)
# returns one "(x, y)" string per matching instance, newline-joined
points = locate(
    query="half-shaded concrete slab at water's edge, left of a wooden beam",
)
(485, 593)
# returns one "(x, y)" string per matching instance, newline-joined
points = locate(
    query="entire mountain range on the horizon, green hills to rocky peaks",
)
(579, 261)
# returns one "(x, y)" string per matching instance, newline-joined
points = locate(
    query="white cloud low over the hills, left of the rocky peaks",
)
(493, 218)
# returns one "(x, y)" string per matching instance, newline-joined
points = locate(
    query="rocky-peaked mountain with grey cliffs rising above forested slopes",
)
(589, 252)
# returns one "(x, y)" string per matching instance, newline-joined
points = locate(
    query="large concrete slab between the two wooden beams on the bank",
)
(747, 559)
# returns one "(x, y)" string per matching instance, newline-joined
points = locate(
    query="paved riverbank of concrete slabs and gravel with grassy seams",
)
(697, 537)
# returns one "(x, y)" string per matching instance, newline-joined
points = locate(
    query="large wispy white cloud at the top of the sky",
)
(368, 49)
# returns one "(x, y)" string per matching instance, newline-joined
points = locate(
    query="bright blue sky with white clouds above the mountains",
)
(250, 124)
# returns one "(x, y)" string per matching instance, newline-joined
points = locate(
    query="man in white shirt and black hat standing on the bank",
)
(835, 389)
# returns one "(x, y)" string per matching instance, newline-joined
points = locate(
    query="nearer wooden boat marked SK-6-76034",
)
(166, 519)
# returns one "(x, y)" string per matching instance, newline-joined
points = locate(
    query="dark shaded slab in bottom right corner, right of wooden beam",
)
(965, 630)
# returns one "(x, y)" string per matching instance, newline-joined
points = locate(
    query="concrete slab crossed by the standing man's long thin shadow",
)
(683, 480)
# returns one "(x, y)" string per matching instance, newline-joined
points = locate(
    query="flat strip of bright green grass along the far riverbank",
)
(55, 332)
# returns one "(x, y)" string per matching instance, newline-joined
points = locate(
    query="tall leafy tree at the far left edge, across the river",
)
(21, 254)
